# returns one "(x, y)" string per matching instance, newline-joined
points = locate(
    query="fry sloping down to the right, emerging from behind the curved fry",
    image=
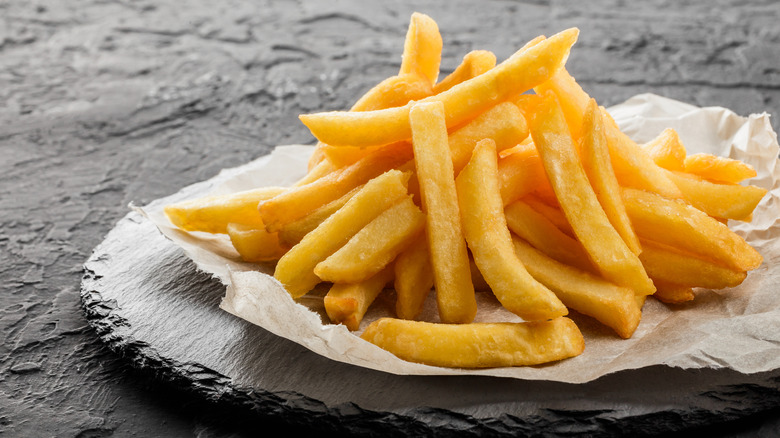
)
(612, 305)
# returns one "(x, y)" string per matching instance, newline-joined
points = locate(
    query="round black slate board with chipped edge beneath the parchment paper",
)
(148, 302)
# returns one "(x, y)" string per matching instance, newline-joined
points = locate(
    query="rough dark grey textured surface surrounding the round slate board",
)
(104, 103)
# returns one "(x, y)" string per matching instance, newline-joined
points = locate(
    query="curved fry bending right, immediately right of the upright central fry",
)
(487, 235)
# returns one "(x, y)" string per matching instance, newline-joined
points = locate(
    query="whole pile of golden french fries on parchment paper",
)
(499, 178)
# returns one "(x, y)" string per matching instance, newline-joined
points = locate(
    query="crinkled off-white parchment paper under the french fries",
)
(736, 328)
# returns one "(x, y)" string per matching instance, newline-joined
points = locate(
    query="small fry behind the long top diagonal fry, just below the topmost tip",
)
(393, 92)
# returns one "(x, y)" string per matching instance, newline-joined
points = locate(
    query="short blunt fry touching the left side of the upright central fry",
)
(375, 246)
